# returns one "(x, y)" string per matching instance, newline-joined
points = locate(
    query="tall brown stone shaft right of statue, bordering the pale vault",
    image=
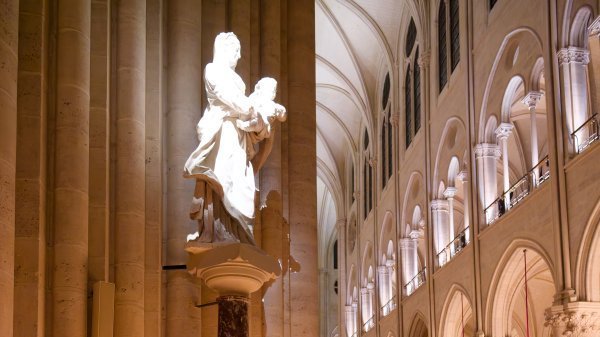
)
(301, 147)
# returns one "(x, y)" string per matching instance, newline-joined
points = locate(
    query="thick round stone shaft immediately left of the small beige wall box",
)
(71, 169)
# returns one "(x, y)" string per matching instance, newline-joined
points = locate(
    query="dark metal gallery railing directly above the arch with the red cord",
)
(518, 191)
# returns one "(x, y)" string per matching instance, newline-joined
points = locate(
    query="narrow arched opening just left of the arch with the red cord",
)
(457, 316)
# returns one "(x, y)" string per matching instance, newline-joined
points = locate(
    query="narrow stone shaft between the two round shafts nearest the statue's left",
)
(154, 173)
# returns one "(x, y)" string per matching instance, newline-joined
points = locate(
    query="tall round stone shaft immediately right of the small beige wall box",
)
(130, 168)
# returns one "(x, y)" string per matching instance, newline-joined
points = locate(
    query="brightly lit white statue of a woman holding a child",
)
(225, 161)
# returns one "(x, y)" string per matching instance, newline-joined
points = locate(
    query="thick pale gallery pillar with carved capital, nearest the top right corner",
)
(573, 63)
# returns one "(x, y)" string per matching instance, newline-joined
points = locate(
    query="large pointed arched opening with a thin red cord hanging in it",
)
(523, 290)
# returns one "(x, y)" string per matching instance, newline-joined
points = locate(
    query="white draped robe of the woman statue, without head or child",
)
(222, 157)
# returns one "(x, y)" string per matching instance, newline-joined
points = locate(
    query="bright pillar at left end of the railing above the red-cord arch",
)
(486, 156)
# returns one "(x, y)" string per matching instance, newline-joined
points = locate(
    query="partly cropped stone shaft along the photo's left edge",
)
(9, 11)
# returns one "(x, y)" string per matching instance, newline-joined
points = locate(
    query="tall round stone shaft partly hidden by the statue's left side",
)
(184, 88)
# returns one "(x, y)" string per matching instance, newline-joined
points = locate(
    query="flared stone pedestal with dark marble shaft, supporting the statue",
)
(233, 270)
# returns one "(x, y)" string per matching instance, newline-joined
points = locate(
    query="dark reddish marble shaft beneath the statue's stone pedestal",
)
(233, 316)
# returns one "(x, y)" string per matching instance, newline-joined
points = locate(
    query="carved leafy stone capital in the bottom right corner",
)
(577, 319)
